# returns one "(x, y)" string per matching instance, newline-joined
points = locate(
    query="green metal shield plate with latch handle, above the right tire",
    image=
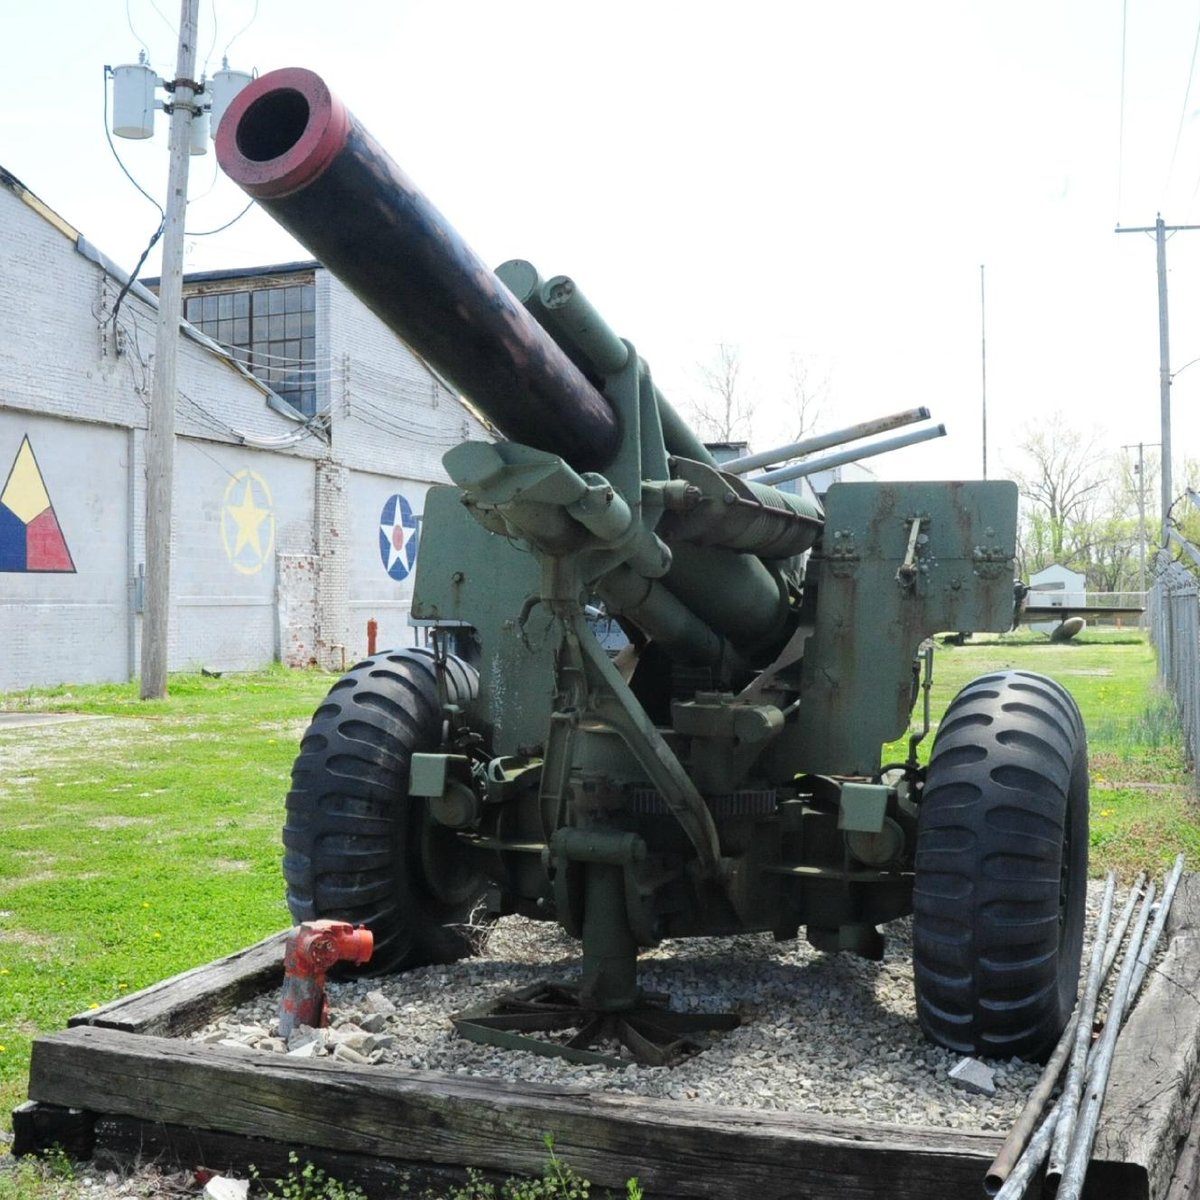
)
(873, 613)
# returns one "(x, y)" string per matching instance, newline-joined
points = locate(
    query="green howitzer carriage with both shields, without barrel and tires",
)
(665, 795)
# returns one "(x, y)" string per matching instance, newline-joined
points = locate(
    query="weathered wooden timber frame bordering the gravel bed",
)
(149, 1091)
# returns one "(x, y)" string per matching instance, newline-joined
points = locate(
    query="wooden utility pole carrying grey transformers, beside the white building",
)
(160, 443)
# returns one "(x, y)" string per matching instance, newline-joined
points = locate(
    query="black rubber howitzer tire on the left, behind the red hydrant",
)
(357, 848)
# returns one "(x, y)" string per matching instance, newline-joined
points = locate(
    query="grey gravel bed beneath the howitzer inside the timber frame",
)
(827, 1034)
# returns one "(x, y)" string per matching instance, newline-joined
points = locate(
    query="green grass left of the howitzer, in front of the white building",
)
(140, 845)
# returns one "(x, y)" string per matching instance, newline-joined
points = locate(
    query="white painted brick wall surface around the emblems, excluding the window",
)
(63, 382)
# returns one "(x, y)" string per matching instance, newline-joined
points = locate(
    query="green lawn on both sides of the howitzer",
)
(143, 839)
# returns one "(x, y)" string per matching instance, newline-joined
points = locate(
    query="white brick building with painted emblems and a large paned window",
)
(296, 513)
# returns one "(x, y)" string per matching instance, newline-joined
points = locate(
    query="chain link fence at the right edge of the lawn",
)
(1175, 631)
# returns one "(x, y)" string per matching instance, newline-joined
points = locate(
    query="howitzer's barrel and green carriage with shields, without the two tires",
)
(719, 773)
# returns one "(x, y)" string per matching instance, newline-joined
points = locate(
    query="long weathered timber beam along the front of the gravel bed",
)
(681, 1150)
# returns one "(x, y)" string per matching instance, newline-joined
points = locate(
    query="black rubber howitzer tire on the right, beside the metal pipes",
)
(1001, 869)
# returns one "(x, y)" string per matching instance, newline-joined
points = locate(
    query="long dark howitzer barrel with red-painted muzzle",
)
(292, 146)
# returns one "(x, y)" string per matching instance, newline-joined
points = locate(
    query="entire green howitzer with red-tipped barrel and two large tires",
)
(723, 773)
